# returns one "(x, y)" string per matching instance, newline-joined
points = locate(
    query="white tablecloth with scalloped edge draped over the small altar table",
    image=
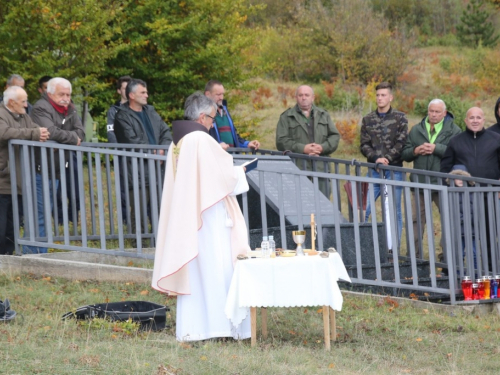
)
(285, 282)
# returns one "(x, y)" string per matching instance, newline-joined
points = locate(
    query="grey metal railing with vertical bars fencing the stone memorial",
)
(110, 196)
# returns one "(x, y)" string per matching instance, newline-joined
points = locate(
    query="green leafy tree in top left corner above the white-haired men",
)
(68, 38)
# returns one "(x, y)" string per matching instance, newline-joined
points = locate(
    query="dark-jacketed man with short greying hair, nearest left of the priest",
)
(136, 122)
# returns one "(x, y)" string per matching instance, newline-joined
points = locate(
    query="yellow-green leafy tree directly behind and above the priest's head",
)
(177, 46)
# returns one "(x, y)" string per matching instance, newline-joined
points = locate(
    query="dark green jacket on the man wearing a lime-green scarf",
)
(418, 135)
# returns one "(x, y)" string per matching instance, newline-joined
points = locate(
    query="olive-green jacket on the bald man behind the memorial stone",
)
(292, 135)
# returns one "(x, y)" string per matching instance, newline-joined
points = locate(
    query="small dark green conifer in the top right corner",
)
(475, 28)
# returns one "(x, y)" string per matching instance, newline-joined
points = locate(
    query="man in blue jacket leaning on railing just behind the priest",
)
(224, 130)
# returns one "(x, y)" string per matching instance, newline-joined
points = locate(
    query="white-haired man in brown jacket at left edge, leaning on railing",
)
(14, 124)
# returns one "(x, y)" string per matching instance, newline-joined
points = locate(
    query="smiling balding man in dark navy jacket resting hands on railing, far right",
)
(479, 151)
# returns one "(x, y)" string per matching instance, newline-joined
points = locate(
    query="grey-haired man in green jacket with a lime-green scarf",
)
(425, 146)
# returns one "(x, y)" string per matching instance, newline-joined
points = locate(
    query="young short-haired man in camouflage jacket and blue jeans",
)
(383, 136)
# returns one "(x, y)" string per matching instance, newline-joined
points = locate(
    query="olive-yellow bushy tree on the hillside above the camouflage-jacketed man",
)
(357, 40)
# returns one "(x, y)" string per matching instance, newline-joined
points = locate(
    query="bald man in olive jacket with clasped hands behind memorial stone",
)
(307, 129)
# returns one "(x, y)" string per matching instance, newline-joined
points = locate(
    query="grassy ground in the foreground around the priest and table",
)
(375, 336)
